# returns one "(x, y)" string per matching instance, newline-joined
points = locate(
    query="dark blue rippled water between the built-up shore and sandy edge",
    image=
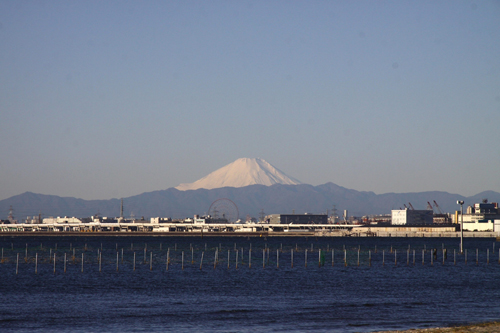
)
(389, 292)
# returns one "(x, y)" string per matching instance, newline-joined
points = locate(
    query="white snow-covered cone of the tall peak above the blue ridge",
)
(240, 173)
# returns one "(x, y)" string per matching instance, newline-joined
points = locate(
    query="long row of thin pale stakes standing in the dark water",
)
(265, 256)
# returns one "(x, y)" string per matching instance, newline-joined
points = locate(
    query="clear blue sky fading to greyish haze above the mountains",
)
(108, 99)
